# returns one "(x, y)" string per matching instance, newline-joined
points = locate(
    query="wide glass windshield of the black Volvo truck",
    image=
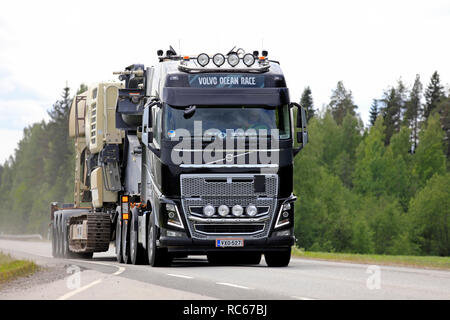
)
(218, 119)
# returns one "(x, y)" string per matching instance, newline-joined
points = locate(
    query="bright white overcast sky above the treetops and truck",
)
(367, 44)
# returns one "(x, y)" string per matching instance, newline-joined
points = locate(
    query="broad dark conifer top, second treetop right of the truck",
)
(341, 103)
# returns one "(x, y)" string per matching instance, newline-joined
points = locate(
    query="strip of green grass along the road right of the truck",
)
(404, 261)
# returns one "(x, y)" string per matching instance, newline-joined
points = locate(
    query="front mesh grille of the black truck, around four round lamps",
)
(217, 189)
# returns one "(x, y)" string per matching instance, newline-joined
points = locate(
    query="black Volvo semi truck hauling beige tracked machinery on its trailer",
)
(193, 156)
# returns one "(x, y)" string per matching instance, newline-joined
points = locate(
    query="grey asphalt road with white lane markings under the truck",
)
(103, 278)
